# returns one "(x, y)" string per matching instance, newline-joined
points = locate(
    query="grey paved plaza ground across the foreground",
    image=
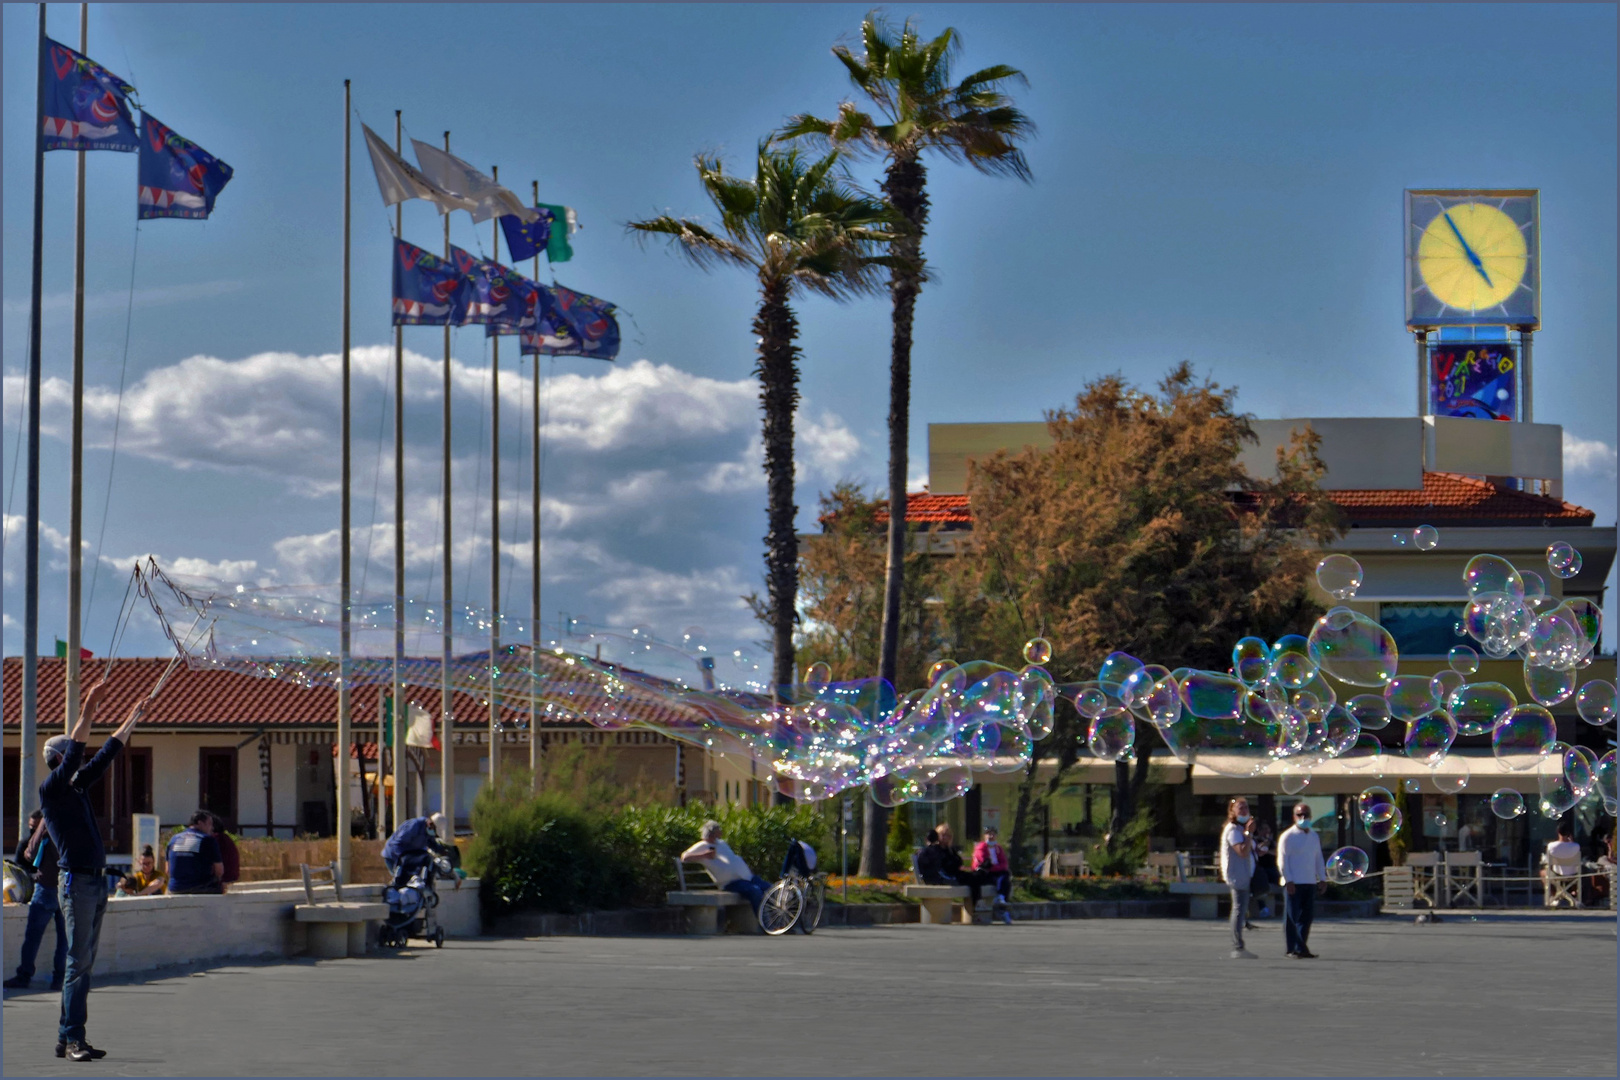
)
(1490, 997)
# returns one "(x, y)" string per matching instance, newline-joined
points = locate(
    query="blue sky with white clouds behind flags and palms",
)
(1213, 184)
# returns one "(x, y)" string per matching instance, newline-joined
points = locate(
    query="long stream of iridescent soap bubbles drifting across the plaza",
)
(1285, 707)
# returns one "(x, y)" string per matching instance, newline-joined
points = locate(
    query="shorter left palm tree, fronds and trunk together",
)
(803, 229)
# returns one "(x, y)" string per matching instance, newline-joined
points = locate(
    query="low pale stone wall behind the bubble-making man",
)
(145, 933)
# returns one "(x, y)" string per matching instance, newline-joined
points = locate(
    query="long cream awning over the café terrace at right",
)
(1486, 773)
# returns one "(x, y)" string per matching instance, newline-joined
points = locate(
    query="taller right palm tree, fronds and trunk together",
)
(918, 109)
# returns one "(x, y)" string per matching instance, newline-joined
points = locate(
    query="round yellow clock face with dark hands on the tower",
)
(1472, 257)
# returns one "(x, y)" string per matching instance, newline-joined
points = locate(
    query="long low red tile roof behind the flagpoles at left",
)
(208, 699)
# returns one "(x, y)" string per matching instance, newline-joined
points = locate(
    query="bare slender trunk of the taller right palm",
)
(906, 187)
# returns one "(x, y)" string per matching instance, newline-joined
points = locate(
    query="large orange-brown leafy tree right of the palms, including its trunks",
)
(1138, 532)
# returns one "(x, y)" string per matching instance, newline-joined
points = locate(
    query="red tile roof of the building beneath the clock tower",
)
(1444, 500)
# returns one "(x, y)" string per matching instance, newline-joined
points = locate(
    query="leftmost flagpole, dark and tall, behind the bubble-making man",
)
(30, 736)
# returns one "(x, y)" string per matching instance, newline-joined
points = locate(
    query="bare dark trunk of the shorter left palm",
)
(778, 373)
